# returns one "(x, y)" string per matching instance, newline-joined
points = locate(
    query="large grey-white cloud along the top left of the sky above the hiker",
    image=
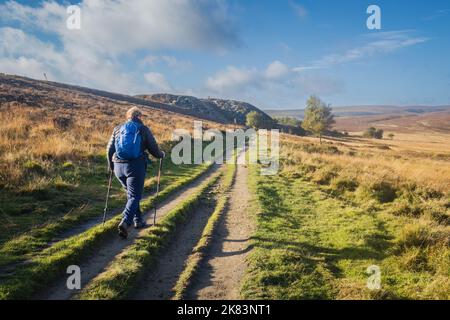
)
(121, 26)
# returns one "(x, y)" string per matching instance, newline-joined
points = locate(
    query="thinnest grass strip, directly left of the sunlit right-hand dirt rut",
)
(198, 252)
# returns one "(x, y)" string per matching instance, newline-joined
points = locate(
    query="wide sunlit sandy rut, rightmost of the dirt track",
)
(220, 275)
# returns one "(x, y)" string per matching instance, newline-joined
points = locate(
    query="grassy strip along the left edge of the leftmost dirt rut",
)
(51, 262)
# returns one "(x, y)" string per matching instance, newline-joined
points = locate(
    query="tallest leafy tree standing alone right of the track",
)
(318, 117)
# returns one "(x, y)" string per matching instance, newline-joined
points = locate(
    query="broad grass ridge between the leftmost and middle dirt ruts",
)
(122, 274)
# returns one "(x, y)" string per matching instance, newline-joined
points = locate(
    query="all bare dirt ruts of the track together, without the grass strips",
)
(221, 271)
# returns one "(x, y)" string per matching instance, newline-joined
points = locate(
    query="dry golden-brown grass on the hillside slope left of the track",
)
(34, 134)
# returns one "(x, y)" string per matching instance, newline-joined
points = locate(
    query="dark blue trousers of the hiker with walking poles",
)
(132, 176)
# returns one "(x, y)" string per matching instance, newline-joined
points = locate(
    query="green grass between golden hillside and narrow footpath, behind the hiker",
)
(68, 207)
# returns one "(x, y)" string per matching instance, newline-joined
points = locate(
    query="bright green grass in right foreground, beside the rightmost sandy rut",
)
(312, 245)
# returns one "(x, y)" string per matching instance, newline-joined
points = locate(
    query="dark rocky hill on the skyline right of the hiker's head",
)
(220, 110)
